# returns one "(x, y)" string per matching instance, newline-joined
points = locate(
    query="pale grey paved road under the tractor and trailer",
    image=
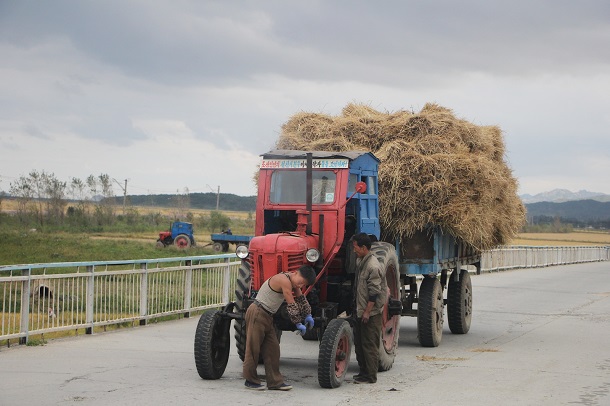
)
(538, 337)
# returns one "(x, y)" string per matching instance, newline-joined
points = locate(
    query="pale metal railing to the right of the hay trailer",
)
(513, 257)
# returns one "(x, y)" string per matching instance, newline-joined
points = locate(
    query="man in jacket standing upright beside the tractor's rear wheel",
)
(370, 295)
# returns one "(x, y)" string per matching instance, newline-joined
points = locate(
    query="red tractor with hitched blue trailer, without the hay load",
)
(309, 206)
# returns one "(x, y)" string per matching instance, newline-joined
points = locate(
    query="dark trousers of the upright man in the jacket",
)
(367, 337)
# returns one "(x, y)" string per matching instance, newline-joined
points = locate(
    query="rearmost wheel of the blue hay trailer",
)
(459, 302)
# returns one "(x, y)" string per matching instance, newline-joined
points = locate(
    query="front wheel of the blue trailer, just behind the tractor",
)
(430, 312)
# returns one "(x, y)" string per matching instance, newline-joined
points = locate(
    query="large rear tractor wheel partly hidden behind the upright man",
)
(390, 326)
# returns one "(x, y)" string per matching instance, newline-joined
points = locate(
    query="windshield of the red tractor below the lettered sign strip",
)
(289, 186)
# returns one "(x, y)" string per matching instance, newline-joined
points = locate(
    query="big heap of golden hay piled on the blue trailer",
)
(435, 170)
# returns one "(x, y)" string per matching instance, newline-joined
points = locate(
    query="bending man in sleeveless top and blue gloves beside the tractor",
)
(260, 331)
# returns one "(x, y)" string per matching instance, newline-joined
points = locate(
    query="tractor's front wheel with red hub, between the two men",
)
(334, 355)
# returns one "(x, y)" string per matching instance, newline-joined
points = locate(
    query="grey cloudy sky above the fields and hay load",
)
(187, 94)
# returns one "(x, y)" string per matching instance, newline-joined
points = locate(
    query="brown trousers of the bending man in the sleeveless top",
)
(261, 337)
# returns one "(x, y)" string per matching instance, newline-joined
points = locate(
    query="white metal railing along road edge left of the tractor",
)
(42, 298)
